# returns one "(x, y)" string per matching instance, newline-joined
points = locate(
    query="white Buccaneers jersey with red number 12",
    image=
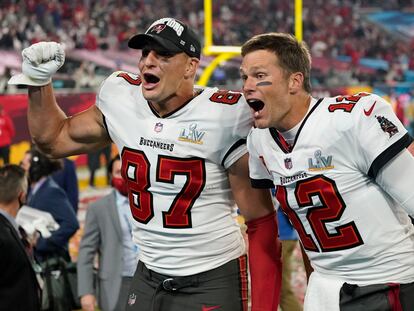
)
(350, 228)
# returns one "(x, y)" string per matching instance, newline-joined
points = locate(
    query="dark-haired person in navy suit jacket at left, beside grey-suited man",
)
(47, 196)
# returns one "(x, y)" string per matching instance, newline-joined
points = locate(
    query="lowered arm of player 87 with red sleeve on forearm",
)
(264, 246)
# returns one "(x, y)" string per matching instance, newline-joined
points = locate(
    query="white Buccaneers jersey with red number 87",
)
(175, 167)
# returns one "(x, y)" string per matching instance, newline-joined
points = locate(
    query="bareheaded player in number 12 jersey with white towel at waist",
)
(342, 173)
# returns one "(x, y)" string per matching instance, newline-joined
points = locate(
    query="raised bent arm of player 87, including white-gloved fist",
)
(53, 132)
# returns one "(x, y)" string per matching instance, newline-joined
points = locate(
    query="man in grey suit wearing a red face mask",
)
(108, 233)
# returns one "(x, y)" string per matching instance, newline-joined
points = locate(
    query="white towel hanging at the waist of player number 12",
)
(322, 293)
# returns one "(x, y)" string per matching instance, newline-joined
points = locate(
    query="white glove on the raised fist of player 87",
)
(40, 61)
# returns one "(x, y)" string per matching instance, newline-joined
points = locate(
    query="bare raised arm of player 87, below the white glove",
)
(58, 135)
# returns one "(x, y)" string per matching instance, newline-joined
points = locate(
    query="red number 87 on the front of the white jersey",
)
(136, 171)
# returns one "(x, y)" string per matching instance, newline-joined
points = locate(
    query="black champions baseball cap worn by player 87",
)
(170, 33)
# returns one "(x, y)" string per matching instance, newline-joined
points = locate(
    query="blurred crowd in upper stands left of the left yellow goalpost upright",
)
(85, 24)
